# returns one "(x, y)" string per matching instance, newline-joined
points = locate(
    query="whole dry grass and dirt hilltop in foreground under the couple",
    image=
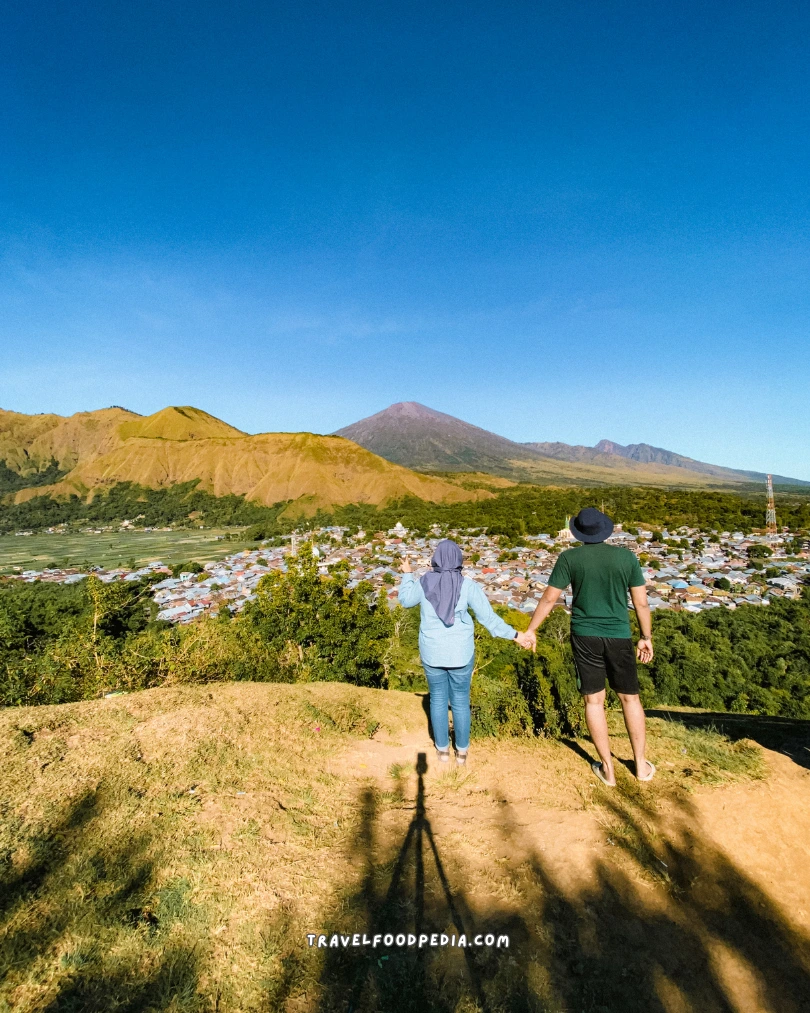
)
(175, 849)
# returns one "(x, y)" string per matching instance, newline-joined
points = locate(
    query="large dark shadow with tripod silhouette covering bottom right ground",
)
(665, 922)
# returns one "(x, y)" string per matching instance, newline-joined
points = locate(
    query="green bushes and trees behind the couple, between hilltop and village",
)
(60, 644)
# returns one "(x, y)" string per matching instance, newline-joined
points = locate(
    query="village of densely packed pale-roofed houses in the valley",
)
(685, 570)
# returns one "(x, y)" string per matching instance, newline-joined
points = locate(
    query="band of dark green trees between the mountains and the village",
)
(511, 513)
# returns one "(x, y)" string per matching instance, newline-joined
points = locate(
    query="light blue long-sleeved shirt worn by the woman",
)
(452, 647)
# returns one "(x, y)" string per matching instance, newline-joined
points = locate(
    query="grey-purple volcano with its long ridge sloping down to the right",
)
(418, 437)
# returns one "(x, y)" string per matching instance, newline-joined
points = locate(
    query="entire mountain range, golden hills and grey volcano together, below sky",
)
(408, 450)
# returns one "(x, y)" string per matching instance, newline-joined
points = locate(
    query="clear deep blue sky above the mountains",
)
(558, 221)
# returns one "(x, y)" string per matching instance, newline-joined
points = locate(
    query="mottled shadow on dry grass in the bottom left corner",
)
(83, 927)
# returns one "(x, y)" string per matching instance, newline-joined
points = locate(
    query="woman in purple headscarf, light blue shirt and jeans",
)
(446, 640)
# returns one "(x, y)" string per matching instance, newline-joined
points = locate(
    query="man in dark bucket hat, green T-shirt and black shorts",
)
(601, 577)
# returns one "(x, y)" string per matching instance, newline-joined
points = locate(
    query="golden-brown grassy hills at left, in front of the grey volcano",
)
(95, 450)
